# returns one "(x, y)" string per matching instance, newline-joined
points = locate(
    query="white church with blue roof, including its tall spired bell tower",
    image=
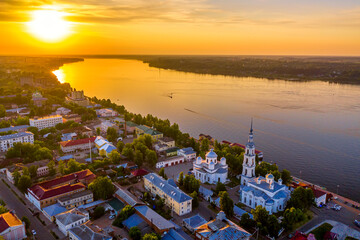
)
(255, 191)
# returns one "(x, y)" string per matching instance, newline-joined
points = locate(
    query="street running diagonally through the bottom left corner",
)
(13, 203)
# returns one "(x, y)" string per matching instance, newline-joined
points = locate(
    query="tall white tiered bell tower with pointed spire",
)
(249, 158)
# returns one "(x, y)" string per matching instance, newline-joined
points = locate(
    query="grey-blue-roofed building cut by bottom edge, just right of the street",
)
(88, 231)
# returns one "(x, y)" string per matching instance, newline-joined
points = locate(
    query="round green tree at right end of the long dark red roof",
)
(102, 188)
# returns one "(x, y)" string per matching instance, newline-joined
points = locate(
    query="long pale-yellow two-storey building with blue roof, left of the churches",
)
(176, 199)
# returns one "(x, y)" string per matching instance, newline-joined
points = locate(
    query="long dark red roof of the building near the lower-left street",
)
(61, 185)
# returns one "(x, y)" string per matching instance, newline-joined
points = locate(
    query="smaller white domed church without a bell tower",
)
(210, 170)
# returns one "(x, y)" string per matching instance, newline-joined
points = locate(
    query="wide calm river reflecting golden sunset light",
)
(310, 128)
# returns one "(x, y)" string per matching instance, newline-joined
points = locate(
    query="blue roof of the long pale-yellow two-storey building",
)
(168, 189)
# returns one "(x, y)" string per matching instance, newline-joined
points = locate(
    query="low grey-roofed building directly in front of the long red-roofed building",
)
(76, 199)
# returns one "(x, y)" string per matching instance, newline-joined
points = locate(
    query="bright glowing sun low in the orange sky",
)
(49, 25)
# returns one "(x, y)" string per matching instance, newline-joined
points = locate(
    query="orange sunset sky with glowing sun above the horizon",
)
(321, 27)
